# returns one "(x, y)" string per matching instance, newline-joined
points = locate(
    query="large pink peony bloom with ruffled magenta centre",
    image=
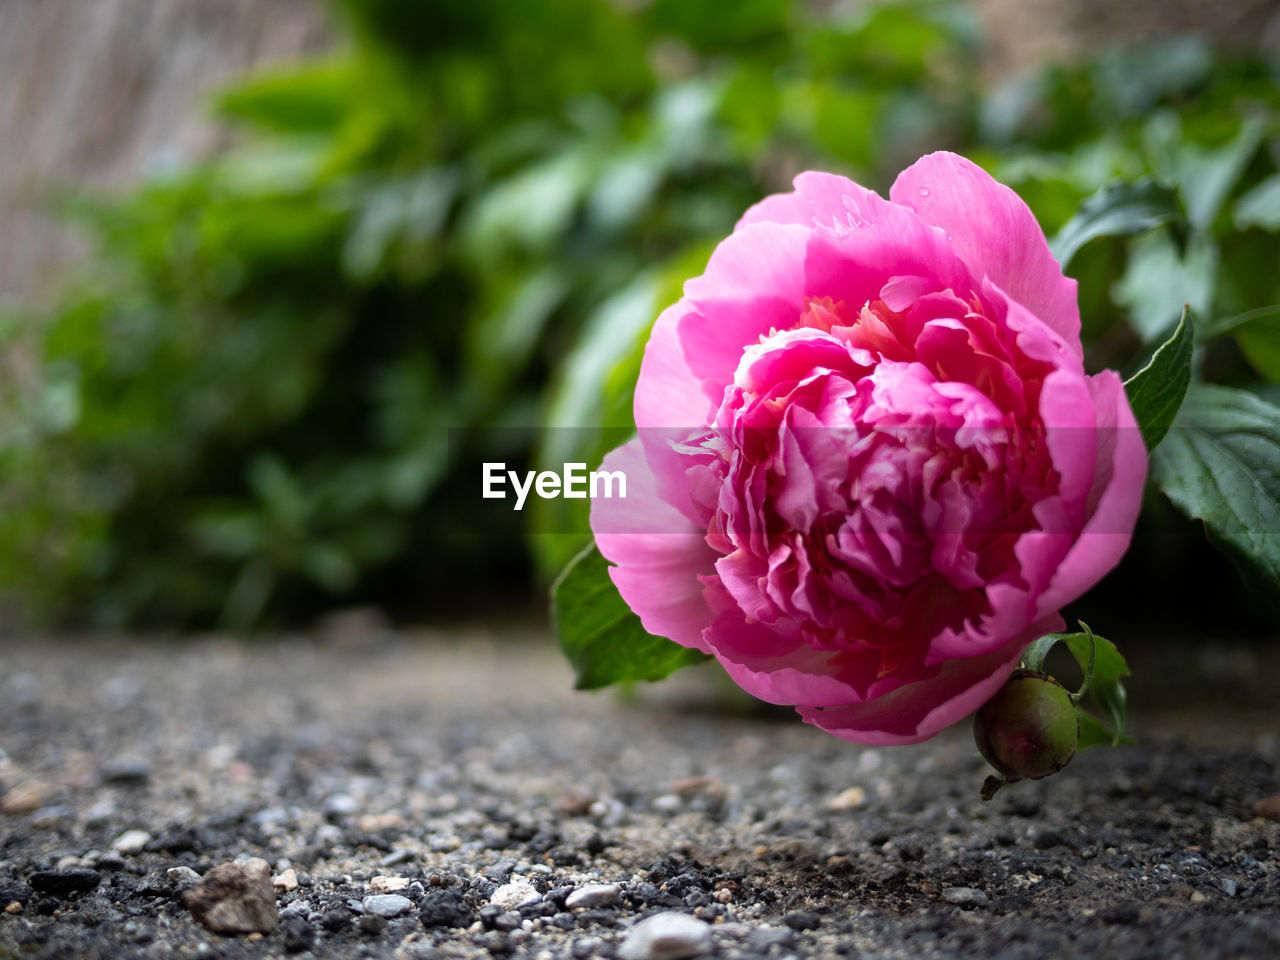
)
(870, 467)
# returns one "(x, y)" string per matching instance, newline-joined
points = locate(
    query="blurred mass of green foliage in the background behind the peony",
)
(469, 218)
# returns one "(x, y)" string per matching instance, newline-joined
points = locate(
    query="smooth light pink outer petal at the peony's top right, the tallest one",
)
(995, 234)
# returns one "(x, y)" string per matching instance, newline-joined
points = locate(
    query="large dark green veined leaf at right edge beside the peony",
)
(1222, 464)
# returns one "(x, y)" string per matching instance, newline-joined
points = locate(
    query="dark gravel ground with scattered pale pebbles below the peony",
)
(450, 797)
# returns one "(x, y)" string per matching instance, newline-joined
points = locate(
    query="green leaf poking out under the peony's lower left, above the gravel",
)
(600, 634)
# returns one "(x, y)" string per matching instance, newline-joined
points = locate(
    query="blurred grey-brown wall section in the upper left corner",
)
(98, 92)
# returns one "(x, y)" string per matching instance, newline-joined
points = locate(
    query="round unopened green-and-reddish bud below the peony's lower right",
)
(1028, 730)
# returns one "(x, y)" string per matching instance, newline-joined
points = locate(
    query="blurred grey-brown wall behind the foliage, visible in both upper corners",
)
(98, 92)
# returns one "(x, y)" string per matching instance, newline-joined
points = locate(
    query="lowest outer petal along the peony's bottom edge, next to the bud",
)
(918, 711)
